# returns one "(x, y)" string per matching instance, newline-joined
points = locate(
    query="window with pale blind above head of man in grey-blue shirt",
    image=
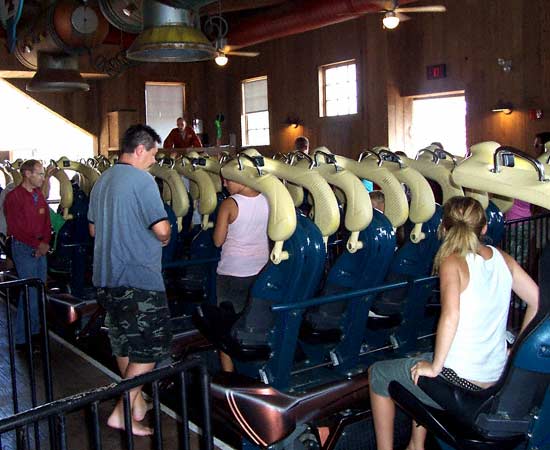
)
(164, 103)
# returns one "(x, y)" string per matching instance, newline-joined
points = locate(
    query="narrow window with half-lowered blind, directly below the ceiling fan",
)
(255, 117)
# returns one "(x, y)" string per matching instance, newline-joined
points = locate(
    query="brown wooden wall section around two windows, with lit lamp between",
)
(291, 65)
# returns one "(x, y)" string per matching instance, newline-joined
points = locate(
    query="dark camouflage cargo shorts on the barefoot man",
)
(138, 323)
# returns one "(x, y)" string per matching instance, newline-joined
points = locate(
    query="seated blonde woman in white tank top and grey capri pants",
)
(470, 350)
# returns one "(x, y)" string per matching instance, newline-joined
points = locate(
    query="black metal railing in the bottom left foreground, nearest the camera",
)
(56, 412)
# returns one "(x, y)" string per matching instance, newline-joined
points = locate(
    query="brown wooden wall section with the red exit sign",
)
(470, 38)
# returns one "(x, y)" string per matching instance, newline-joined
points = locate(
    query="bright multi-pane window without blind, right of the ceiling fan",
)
(338, 89)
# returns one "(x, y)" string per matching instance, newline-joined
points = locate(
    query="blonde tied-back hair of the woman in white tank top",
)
(460, 229)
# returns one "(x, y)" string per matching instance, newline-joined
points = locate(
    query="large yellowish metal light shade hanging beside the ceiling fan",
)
(169, 36)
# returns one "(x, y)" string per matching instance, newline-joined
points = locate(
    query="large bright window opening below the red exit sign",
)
(439, 119)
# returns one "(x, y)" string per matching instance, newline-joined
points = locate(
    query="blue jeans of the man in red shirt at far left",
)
(27, 267)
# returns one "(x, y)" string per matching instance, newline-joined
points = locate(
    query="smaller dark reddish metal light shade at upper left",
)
(57, 72)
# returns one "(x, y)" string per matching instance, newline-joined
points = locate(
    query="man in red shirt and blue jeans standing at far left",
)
(28, 220)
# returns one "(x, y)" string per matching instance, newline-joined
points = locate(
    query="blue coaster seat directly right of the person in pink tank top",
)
(257, 335)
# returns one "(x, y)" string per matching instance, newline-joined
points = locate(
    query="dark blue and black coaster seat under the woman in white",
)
(515, 409)
